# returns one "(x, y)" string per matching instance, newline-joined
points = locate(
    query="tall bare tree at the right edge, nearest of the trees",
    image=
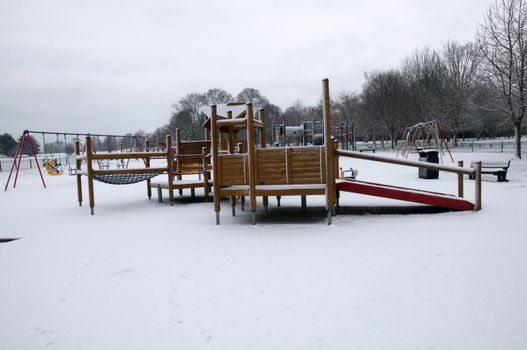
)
(502, 43)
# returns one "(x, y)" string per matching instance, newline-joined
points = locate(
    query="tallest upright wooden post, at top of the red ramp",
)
(328, 144)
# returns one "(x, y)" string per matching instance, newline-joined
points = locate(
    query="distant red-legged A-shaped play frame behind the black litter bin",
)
(424, 136)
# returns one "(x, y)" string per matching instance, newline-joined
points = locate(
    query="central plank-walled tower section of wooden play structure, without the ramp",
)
(264, 172)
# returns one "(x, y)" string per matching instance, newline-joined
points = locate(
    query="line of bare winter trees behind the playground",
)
(475, 89)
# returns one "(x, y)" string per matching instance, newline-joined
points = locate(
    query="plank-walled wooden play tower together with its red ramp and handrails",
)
(311, 170)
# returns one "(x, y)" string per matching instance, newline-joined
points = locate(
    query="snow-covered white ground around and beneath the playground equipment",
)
(146, 275)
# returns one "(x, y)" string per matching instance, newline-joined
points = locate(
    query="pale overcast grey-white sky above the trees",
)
(117, 66)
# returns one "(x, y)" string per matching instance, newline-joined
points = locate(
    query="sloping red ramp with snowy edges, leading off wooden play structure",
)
(405, 194)
